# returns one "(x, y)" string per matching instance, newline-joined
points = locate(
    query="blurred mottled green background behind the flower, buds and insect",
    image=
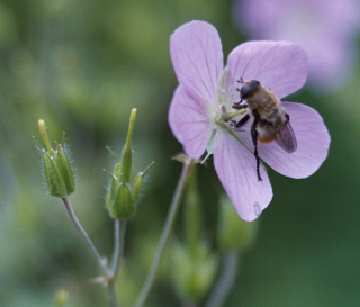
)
(82, 65)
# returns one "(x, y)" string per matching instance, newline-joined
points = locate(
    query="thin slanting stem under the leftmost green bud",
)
(76, 222)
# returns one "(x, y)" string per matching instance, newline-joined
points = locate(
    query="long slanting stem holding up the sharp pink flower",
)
(174, 206)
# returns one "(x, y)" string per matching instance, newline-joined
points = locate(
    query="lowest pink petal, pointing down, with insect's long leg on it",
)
(236, 168)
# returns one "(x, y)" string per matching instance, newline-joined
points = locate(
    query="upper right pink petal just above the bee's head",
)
(279, 65)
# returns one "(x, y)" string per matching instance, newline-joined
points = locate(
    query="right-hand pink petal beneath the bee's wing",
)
(313, 141)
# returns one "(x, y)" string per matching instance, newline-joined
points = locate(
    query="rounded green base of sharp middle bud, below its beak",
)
(121, 205)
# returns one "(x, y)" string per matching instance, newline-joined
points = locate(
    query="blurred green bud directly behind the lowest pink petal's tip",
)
(233, 232)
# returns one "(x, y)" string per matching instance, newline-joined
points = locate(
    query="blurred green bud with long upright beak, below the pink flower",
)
(194, 264)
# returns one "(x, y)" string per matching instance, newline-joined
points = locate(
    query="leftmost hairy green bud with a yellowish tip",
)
(57, 167)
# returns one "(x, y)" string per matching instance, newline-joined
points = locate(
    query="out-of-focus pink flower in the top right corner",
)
(326, 29)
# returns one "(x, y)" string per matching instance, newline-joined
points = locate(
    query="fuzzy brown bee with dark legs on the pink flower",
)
(270, 120)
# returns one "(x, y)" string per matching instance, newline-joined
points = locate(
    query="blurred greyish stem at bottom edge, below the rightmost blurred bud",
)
(226, 281)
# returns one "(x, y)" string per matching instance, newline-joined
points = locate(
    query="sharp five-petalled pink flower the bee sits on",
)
(206, 93)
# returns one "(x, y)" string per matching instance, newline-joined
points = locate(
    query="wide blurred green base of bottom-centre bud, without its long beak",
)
(193, 276)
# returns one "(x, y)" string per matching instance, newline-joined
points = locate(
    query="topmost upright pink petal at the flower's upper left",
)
(196, 54)
